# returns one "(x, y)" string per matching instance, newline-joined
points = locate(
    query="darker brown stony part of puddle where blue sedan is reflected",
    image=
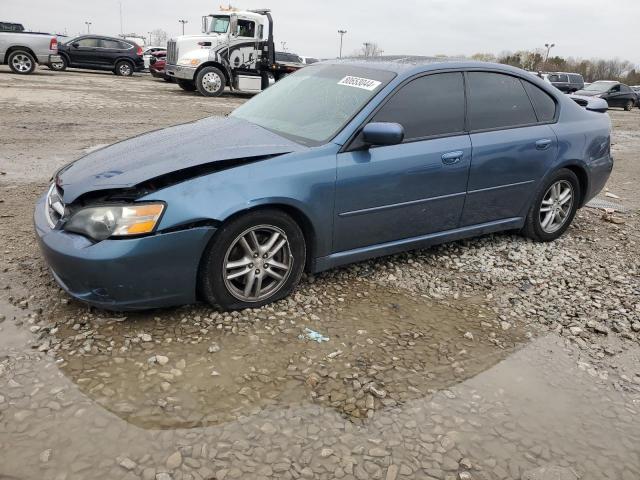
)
(384, 349)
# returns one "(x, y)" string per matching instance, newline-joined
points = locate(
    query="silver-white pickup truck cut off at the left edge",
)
(22, 51)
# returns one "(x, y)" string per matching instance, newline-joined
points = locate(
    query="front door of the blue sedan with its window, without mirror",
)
(389, 193)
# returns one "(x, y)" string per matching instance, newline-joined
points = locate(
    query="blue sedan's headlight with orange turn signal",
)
(100, 223)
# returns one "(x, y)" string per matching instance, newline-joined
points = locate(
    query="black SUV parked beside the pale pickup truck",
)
(121, 56)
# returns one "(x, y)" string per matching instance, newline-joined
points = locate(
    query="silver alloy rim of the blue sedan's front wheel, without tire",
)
(258, 263)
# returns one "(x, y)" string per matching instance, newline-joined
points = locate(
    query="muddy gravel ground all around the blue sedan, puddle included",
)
(491, 358)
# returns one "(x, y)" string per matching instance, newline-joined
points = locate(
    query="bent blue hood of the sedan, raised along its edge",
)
(204, 142)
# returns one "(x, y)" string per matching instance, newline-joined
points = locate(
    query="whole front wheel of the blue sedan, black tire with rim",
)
(226, 248)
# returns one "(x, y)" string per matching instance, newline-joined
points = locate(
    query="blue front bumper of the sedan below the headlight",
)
(125, 274)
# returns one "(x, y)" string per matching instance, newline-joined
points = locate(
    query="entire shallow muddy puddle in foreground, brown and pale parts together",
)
(404, 388)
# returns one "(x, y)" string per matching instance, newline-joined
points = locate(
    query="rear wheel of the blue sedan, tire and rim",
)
(534, 227)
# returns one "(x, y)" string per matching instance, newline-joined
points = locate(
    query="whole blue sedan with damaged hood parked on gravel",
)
(340, 162)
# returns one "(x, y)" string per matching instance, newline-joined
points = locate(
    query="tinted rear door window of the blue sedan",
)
(497, 100)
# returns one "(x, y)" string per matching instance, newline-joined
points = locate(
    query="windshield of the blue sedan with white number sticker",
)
(312, 105)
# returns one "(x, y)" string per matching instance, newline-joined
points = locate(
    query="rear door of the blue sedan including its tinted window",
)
(513, 145)
